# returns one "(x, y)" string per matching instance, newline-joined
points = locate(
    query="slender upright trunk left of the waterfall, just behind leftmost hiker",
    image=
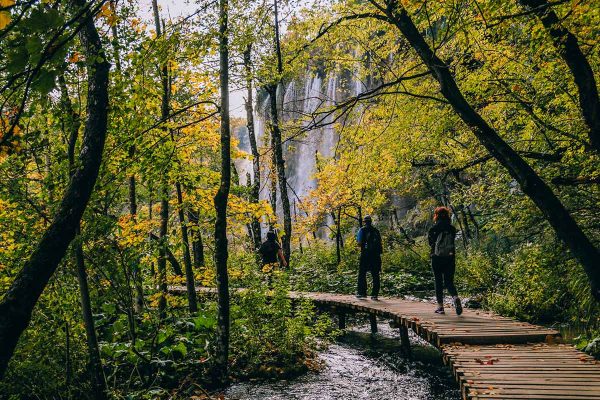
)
(255, 190)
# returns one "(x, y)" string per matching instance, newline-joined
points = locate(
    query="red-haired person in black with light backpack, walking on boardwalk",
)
(443, 258)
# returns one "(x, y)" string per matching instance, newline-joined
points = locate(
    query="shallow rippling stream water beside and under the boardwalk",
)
(360, 366)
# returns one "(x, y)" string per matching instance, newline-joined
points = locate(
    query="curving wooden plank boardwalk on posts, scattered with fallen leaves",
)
(492, 357)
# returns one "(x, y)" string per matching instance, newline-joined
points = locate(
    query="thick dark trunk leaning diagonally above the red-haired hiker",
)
(532, 185)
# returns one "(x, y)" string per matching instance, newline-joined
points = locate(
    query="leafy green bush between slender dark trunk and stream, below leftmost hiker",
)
(275, 338)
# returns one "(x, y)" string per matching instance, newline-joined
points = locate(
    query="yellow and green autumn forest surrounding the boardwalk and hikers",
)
(148, 146)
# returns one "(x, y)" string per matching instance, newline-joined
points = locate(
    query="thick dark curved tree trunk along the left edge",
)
(20, 299)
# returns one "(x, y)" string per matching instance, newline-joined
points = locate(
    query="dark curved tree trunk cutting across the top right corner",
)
(568, 48)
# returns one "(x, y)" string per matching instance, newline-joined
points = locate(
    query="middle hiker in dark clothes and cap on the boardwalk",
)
(371, 248)
